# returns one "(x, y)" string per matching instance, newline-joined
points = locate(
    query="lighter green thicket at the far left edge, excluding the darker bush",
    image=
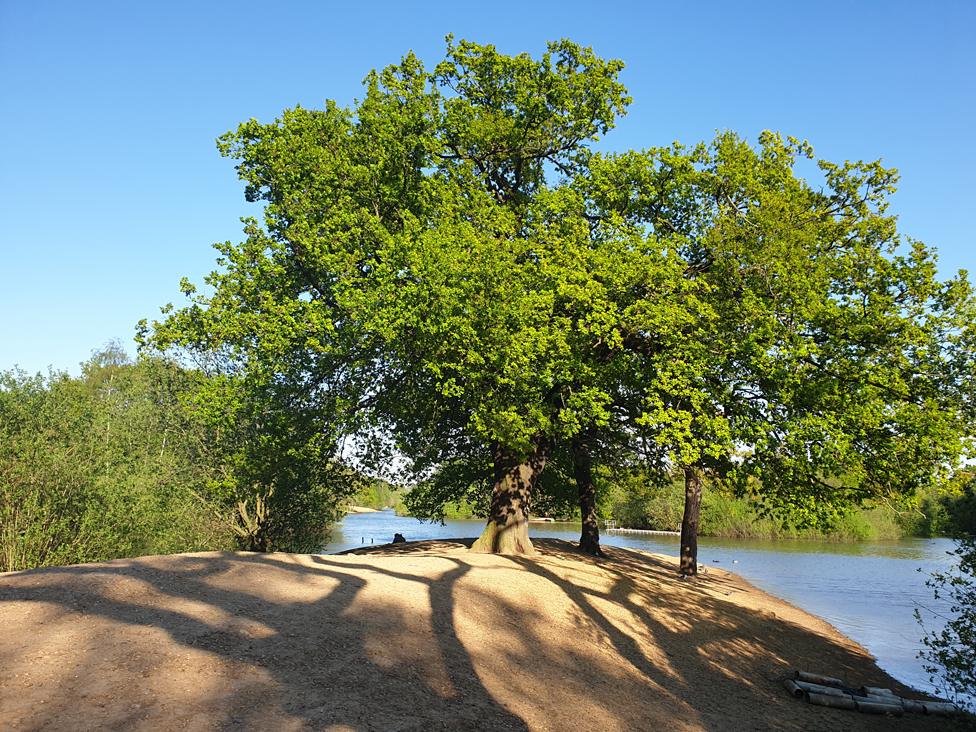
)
(94, 468)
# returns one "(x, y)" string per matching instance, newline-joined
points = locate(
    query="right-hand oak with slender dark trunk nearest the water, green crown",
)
(824, 349)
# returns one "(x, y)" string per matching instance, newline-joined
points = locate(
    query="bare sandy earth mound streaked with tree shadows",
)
(421, 636)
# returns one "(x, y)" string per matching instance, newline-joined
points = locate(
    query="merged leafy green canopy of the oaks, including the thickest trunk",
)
(449, 268)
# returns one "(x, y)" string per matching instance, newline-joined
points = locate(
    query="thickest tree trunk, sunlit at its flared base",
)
(507, 531)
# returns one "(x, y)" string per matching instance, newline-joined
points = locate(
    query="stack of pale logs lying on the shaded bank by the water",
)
(826, 691)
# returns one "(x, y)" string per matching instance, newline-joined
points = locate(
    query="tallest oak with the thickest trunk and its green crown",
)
(415, 236)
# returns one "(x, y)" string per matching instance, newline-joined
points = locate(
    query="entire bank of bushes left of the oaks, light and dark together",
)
(148, 458)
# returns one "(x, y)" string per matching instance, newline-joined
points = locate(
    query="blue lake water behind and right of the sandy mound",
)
(869, 591)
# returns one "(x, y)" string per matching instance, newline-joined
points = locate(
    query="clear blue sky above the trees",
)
(111, 188)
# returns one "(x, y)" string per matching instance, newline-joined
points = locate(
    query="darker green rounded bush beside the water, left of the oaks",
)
(269, 461)
